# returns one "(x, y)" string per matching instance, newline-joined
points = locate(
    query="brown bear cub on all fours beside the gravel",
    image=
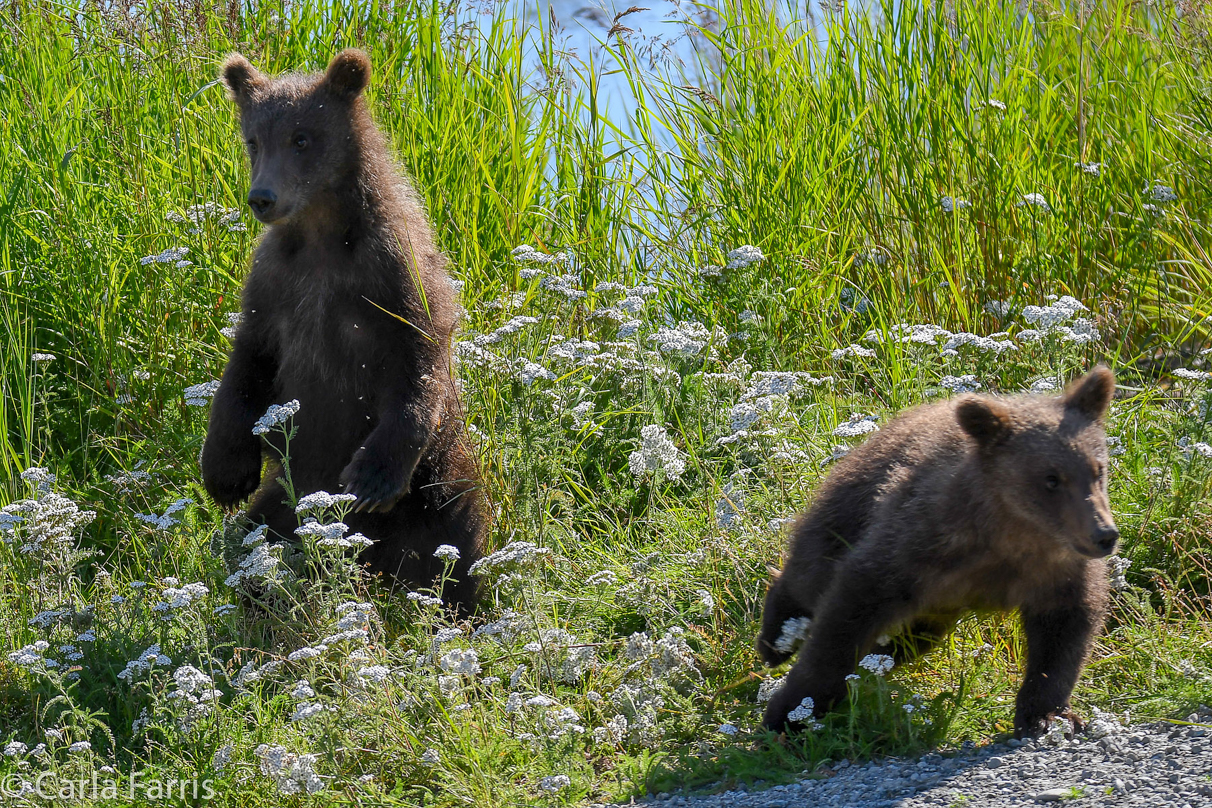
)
(974, 505)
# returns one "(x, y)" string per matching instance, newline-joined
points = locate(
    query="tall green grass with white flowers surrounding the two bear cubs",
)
(833, 162)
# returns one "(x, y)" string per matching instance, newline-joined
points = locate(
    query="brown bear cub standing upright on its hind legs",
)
(347, 310)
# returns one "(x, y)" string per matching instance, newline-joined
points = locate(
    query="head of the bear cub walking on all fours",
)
(1045, 460)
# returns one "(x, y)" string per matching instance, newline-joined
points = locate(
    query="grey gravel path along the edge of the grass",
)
(1157, 765)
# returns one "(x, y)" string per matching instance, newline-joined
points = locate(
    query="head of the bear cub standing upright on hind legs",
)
(302, 131)
